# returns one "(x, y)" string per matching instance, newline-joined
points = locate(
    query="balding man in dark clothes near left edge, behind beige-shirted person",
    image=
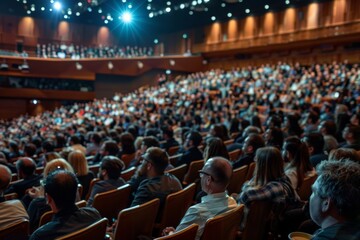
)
(26, 171)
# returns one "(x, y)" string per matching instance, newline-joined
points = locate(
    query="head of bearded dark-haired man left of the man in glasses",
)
(155, 161)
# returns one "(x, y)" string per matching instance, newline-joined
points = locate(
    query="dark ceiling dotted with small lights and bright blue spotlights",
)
(157, 15)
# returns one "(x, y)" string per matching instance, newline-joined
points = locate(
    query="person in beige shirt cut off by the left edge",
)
(10, 211)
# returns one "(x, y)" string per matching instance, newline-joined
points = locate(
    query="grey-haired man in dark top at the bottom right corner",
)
(334, 203)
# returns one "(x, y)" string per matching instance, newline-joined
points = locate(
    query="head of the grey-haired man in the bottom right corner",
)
(336, 193)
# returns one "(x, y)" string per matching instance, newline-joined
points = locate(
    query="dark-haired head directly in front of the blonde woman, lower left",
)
(60, 189)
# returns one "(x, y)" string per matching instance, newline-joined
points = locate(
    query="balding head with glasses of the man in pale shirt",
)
(215, 175)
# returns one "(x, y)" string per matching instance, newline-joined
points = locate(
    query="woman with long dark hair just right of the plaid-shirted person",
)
(299, 167)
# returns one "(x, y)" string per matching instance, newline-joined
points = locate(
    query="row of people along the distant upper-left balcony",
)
(79, 52)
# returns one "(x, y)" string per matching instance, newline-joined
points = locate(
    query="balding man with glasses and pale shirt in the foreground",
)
(215, 177)
